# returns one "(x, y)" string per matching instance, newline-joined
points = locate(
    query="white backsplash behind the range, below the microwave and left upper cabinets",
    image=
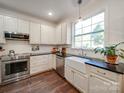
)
(23, 47)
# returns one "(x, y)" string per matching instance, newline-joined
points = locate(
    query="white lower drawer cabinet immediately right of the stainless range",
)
(40, 64)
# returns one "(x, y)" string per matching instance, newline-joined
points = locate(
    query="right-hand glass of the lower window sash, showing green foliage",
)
(97, 39)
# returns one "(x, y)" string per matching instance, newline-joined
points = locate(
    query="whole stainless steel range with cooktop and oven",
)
(14, 68)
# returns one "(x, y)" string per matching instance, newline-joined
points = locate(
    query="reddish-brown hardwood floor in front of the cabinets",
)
(48, 82)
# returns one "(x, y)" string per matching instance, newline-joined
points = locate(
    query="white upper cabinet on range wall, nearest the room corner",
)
(47, 34)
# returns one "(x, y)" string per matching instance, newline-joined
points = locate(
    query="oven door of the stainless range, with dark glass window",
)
(14, 69)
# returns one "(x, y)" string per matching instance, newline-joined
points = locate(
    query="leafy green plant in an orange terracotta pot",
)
(111, 52)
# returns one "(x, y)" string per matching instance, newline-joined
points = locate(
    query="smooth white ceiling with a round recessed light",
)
(40, 8)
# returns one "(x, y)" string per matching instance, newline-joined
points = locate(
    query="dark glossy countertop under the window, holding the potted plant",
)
(119, 68)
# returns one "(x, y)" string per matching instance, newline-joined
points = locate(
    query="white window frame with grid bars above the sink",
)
(90, 33)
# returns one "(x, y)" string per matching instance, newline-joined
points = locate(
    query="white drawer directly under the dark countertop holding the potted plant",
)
(102, 72)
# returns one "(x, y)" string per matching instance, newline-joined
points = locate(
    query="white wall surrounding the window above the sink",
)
(114, 22)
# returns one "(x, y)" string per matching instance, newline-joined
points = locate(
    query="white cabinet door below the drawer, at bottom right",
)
(101, 85)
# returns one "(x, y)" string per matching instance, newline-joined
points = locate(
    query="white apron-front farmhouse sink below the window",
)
(77, 63)
